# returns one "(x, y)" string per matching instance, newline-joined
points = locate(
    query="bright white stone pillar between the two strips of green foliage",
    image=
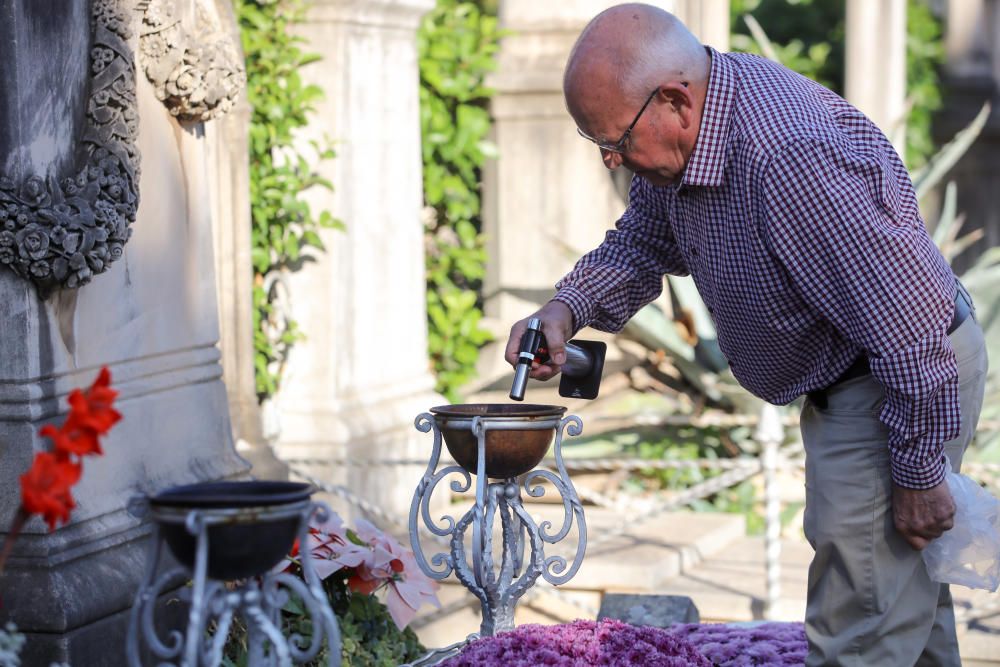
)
(352, 388)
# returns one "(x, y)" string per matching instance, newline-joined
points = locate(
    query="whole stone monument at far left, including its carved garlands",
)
(103, 264)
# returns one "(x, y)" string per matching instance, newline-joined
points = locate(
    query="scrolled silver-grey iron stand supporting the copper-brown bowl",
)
(498, 588)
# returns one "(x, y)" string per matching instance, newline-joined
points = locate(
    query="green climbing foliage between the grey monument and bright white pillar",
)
(283, 225)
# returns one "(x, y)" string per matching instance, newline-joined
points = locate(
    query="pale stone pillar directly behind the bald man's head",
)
(548, 184)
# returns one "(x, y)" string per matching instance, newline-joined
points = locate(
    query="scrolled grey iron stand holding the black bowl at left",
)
(258, 599)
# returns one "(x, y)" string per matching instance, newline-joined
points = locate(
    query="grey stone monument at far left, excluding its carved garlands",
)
(151, 318)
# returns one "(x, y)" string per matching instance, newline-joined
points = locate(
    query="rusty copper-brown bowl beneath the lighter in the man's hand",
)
(517, 436)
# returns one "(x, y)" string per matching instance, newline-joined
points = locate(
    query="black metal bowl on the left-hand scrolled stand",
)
(251, 525)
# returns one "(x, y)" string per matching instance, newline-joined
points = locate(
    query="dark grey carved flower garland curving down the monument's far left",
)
(60, 233)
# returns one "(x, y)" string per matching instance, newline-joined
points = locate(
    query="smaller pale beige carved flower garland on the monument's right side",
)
(197, 76)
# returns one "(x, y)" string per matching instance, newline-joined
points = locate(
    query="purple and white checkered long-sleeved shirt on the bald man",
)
(799, 225)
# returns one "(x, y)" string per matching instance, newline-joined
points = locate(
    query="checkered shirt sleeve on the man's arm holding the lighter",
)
(611, 283)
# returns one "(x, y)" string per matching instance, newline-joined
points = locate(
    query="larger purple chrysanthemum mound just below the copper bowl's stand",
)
(605, 643)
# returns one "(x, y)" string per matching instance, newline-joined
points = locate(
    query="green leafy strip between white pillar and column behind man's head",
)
(457, 42)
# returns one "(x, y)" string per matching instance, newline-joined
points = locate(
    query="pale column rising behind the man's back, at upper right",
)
(875, 67)
